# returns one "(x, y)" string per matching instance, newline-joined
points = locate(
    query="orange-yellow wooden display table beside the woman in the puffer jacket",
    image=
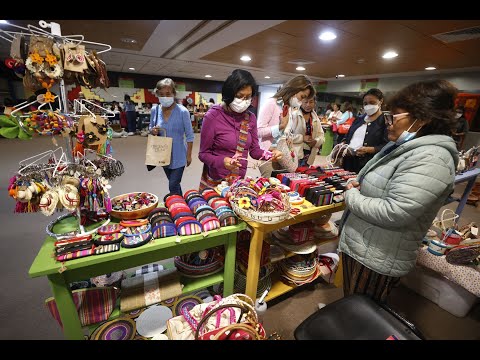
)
(259, 232)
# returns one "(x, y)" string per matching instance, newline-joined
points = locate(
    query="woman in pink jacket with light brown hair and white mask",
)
(274, 115)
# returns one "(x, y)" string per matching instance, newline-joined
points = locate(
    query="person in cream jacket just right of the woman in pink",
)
(308, 133)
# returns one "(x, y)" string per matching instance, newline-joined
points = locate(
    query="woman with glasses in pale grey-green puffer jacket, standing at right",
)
(395, 197)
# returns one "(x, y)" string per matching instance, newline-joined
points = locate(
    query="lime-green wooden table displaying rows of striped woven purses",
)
(158, 249)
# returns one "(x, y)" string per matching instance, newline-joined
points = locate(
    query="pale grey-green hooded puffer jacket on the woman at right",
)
(400, 194)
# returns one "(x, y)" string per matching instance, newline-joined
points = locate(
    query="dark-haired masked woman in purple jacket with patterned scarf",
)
(228, 128)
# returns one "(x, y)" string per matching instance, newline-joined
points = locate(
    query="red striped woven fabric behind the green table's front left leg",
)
(93, 305)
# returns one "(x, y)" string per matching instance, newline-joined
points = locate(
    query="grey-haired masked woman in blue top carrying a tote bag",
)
(175, 119)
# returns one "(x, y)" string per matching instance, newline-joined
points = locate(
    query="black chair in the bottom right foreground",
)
(356, 317)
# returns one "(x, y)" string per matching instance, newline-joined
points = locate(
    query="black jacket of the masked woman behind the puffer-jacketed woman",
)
(375, 136)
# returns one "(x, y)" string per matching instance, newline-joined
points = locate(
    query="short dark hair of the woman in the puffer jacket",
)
(430, 100)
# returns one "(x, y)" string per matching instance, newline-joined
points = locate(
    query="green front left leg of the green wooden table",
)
(72, 328)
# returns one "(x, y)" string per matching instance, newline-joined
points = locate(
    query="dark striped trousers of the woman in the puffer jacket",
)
(360, 279)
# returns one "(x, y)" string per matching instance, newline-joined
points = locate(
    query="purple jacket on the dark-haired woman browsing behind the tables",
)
(219, 139)
